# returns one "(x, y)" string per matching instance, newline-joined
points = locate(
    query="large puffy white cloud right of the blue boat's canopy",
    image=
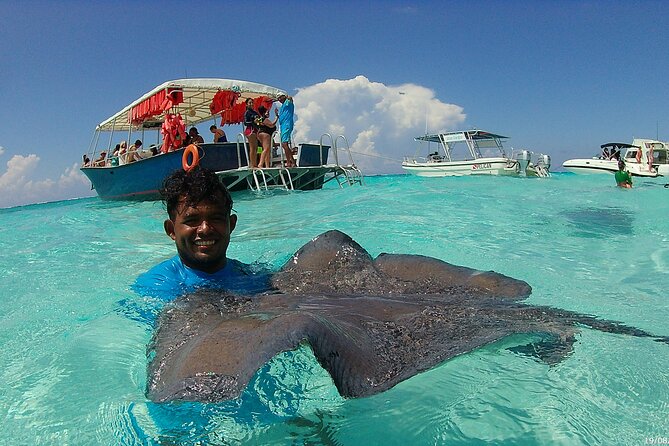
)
(379, 121)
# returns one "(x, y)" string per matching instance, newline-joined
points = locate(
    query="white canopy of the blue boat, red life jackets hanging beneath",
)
(197, 100)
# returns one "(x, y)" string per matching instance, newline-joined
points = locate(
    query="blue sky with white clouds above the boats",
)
(557, 77)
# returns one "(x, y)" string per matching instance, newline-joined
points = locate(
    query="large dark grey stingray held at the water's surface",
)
(371, 323)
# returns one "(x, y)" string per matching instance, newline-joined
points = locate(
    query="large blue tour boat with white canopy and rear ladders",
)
(163, 114)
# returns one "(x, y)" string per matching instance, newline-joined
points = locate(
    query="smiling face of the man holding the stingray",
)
(202, 235)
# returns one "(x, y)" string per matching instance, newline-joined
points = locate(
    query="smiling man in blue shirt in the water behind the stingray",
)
(200, 223)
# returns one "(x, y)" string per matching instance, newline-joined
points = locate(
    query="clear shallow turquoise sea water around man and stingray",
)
(73, 366)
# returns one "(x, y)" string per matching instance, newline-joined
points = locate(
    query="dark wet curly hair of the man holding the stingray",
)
(193, 187)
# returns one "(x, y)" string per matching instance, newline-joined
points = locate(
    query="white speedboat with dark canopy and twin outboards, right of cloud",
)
(468, 152)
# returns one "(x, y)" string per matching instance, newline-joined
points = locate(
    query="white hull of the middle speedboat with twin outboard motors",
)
(481, 166)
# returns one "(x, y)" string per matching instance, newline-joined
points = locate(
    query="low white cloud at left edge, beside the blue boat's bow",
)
(18, 185)
